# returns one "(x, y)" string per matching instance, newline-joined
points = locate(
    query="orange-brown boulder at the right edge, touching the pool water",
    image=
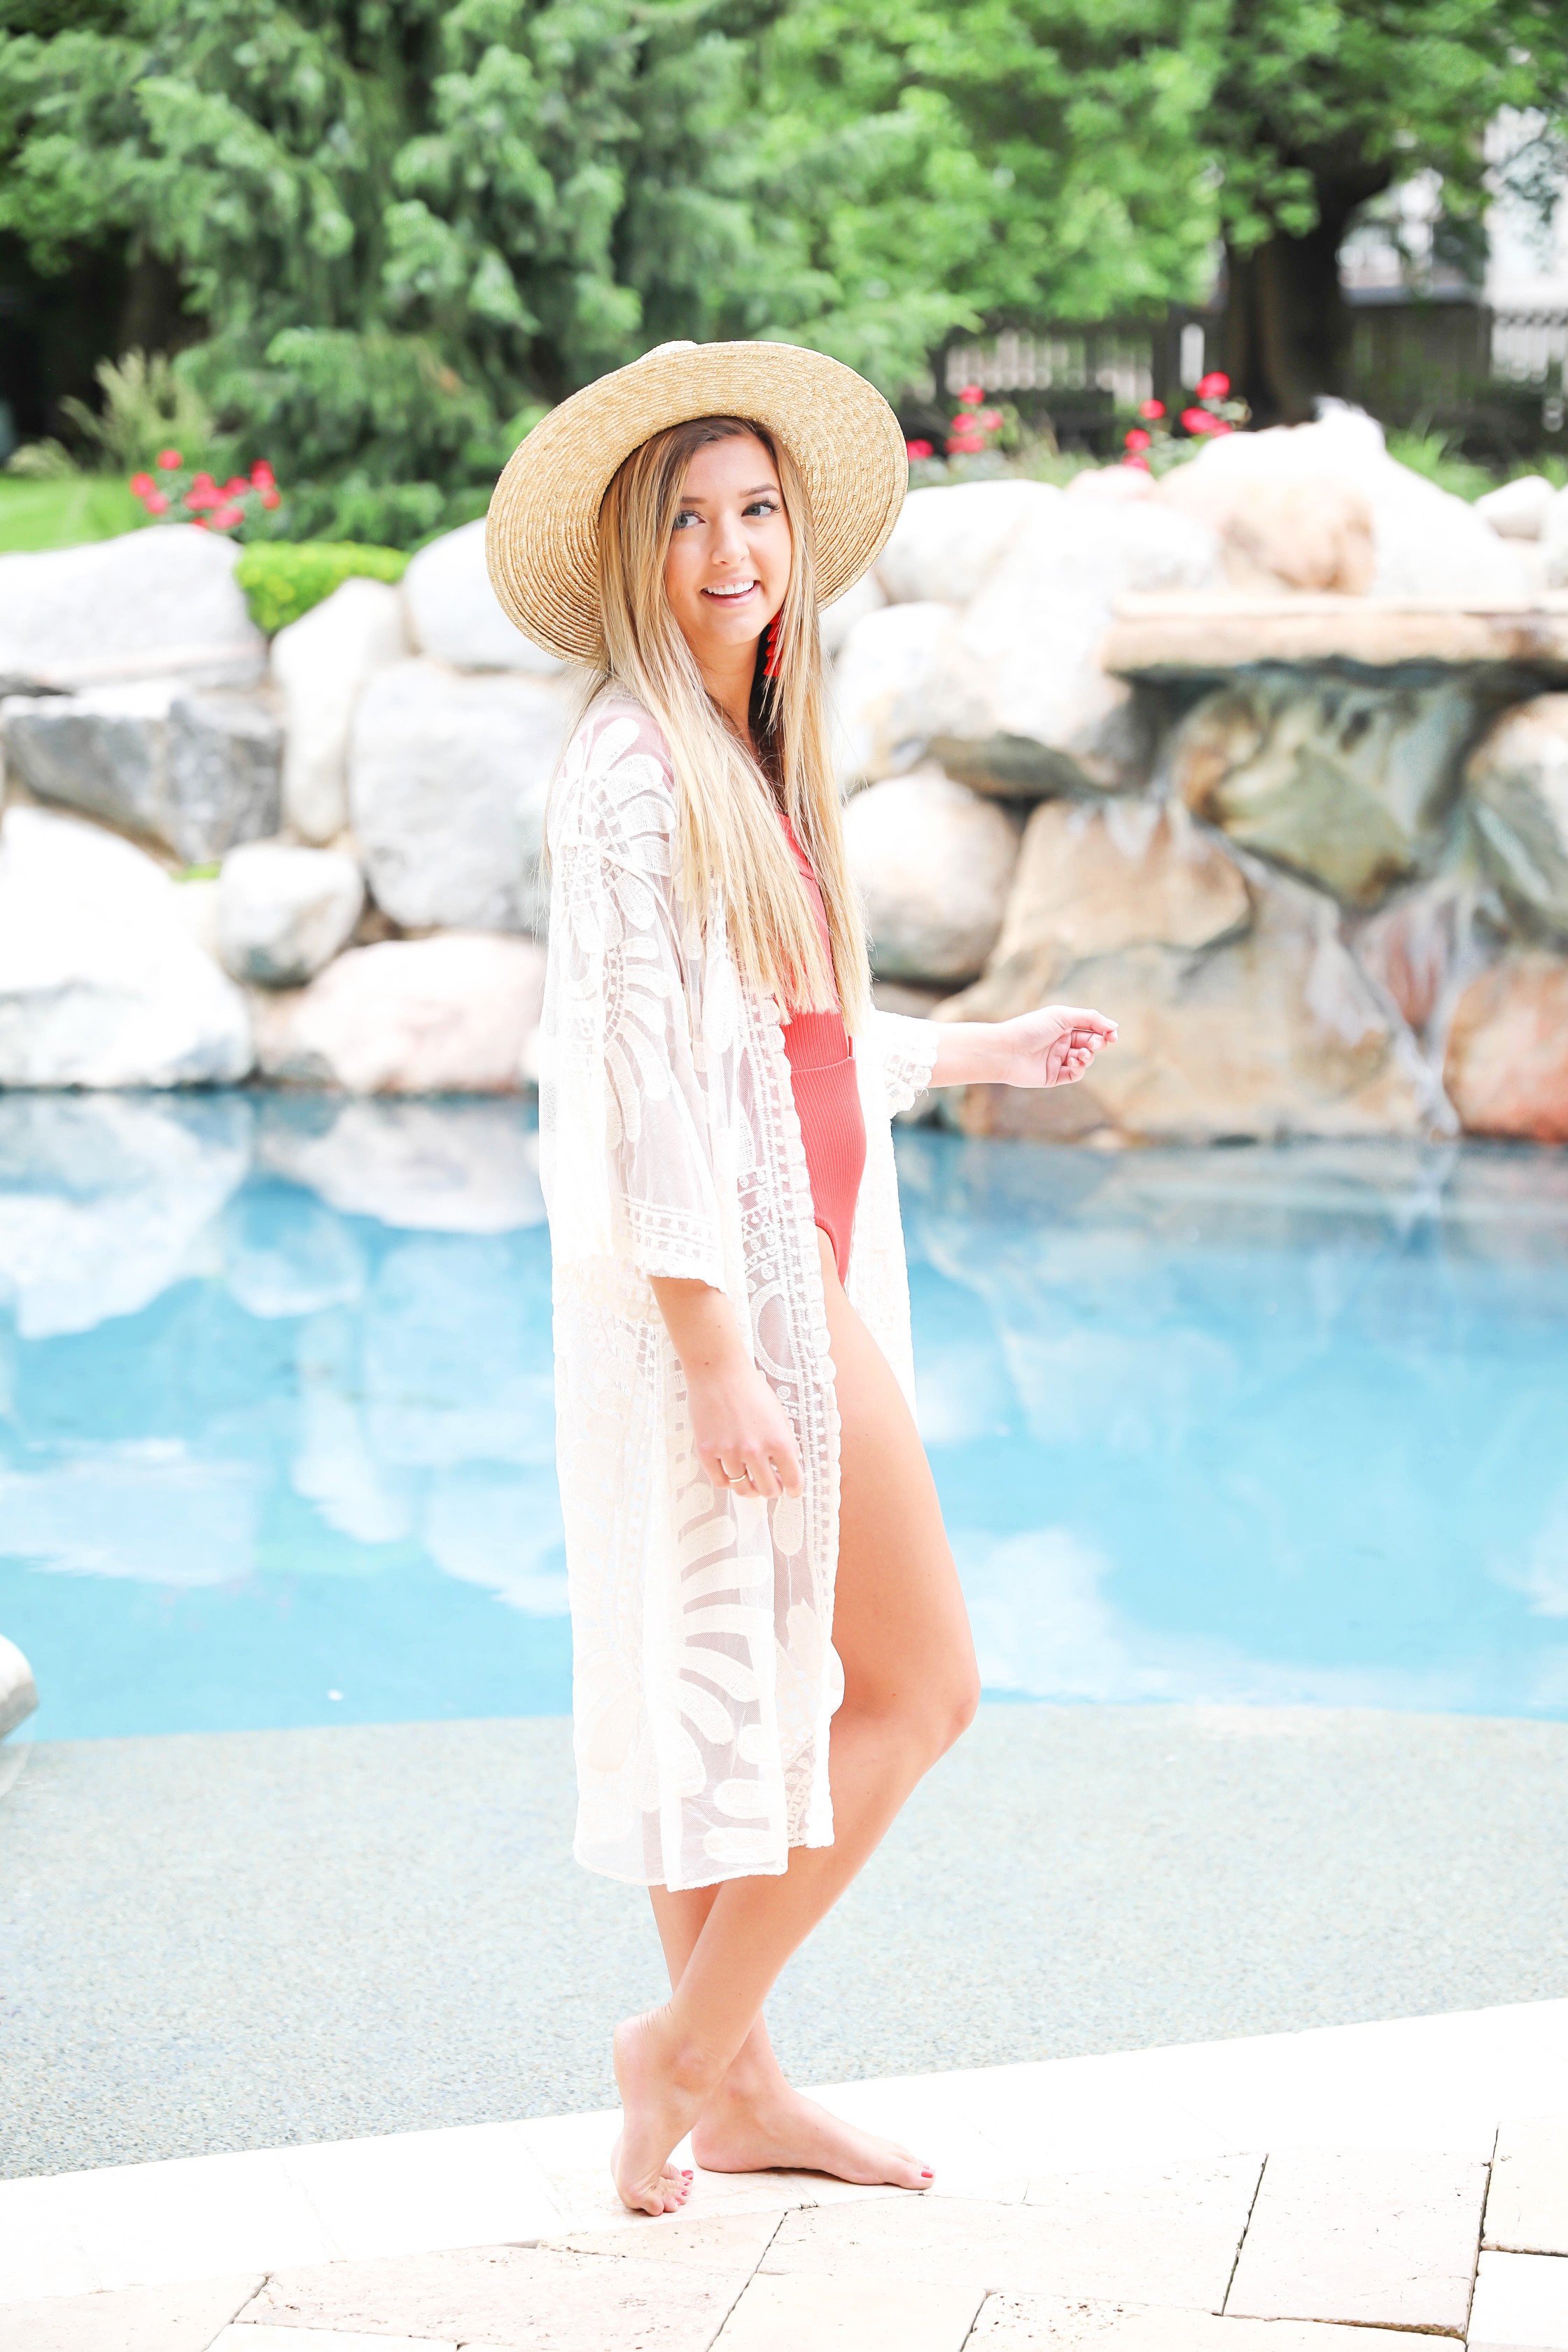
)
(1508, 1050)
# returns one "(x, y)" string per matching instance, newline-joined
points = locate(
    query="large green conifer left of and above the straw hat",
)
(401, 227)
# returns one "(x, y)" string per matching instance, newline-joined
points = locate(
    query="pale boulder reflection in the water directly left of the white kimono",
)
(453, 1168)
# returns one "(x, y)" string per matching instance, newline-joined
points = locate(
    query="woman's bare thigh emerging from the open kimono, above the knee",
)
(899, 1619)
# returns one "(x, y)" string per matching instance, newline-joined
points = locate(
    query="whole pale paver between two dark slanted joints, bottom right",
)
(1369, 2238)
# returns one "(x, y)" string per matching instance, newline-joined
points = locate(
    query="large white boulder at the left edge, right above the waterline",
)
(100, 980)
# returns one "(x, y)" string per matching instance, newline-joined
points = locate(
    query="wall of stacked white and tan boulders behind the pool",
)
(1268, 761)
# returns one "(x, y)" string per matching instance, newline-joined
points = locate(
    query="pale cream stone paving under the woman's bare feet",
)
(1299, 2193)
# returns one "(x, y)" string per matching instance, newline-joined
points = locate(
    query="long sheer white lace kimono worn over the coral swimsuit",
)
(704, 1666)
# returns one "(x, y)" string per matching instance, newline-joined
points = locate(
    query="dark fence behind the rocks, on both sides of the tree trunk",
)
(1452, 363)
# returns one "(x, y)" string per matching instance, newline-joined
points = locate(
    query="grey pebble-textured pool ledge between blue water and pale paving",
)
(250, 1942)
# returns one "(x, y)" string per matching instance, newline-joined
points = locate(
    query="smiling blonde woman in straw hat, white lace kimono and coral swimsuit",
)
(770, 1641)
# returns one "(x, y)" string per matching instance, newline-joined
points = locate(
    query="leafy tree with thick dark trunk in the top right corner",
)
(1320, 107)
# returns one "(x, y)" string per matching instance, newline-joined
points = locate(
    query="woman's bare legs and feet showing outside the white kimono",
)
(909, 1690)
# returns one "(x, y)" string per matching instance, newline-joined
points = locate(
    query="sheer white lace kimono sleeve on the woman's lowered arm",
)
(626, 1151)
